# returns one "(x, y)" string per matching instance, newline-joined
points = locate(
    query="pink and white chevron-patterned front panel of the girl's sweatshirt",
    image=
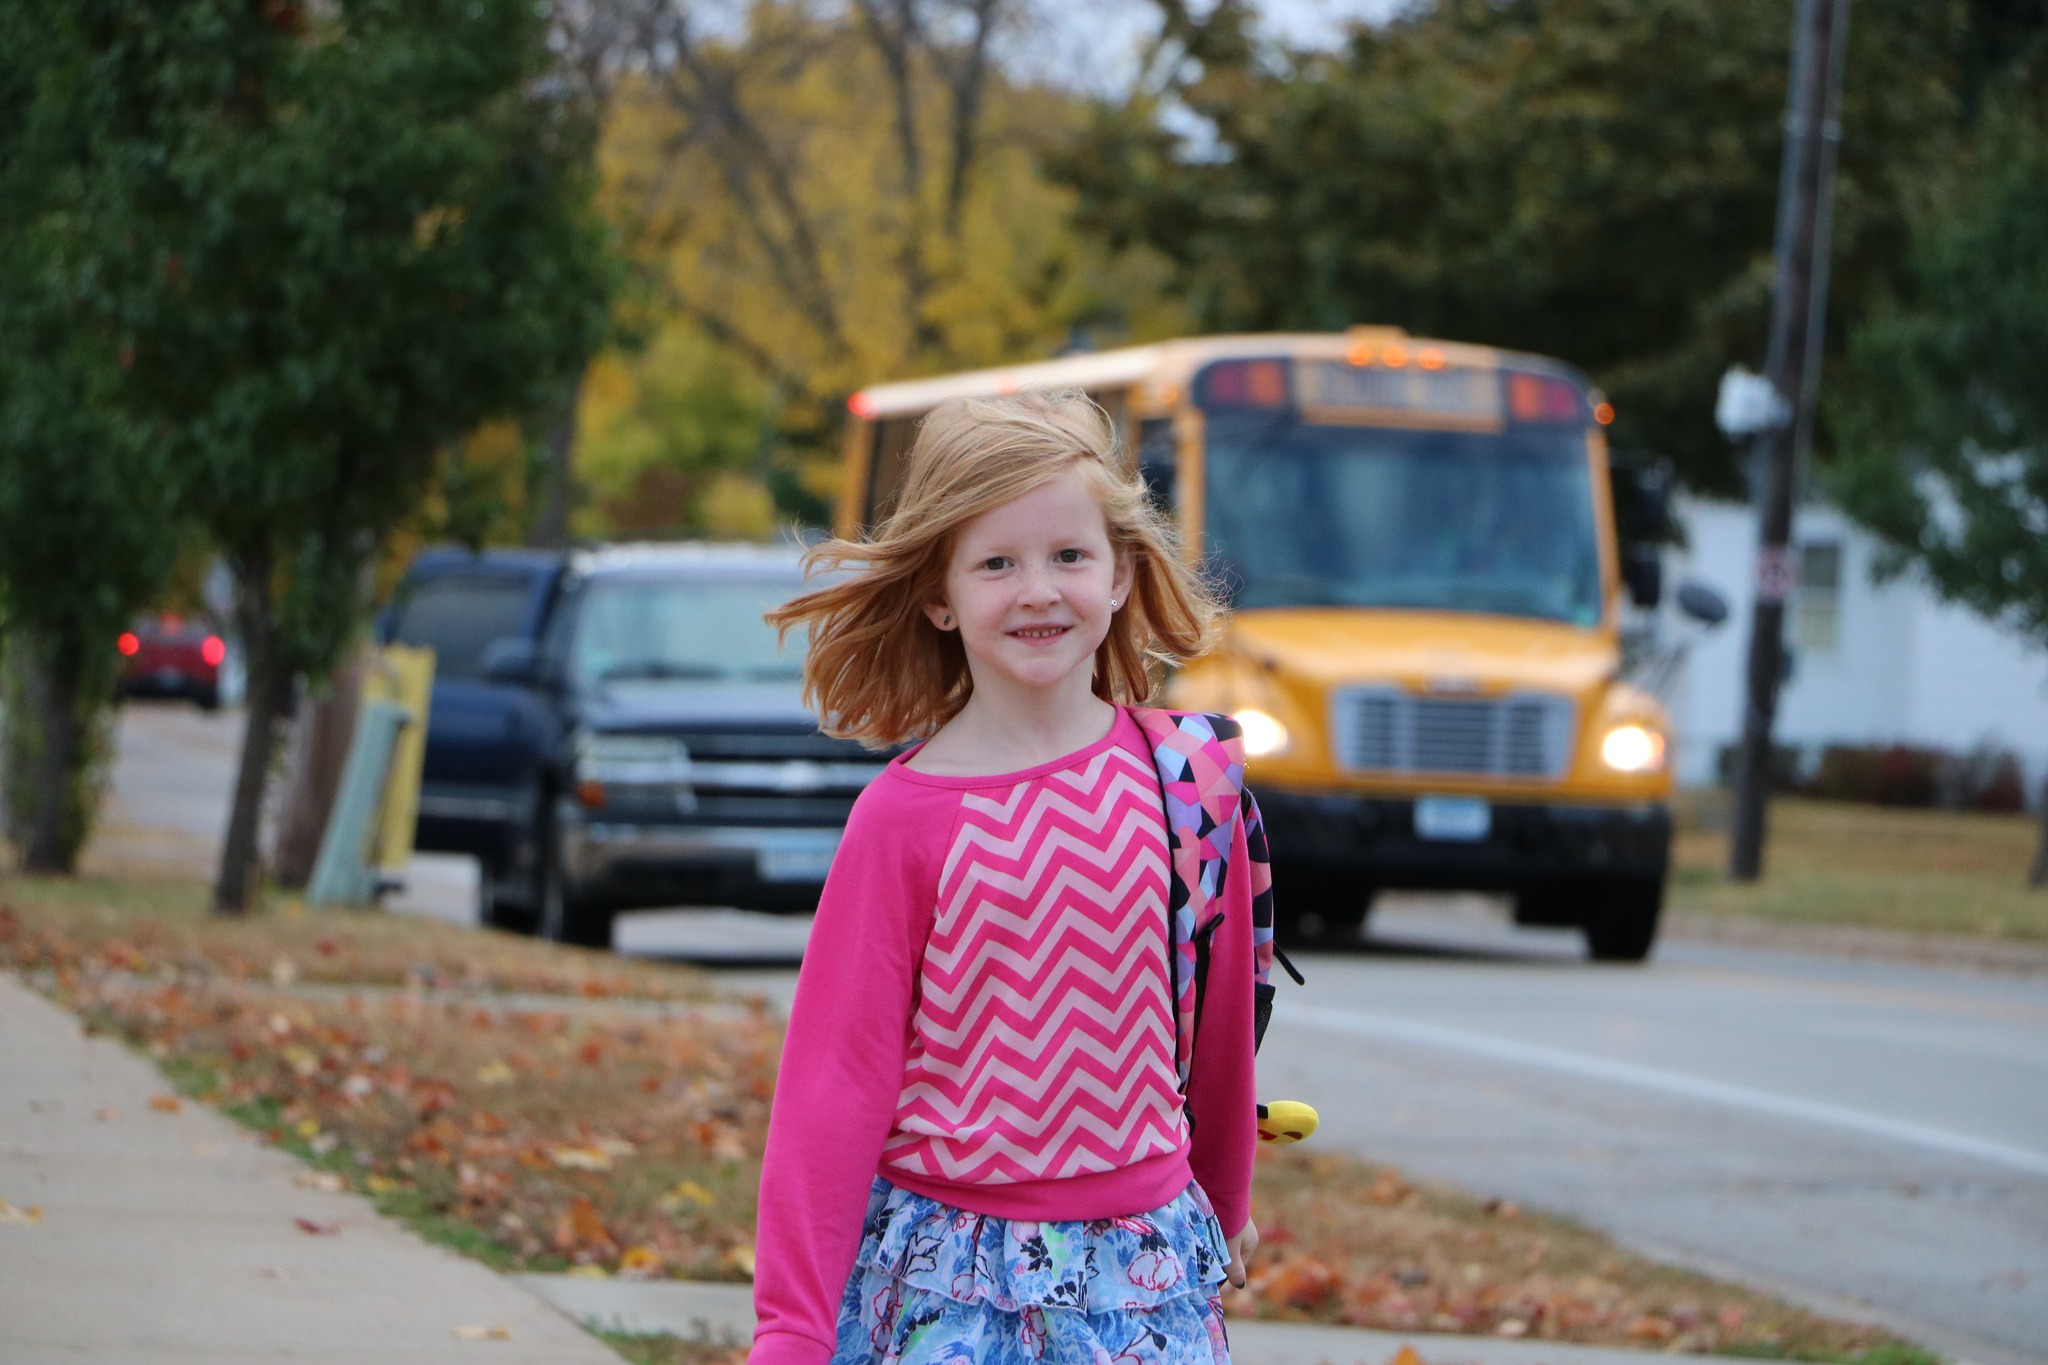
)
(1043, 1039)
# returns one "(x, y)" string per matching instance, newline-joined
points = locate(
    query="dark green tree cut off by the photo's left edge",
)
(87, 517)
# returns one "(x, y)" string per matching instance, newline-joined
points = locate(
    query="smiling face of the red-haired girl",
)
(1029, 588)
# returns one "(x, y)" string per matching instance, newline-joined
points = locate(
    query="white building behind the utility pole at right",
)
(1873, 662)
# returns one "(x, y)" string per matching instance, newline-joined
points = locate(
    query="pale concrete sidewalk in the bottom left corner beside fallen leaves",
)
(171, 1239)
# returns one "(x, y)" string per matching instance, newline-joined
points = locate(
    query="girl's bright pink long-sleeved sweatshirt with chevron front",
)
(984, 1018)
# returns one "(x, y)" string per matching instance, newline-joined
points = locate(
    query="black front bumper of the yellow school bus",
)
(1525, 846)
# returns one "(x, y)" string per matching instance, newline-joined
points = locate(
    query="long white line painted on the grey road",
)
(1656, 1080)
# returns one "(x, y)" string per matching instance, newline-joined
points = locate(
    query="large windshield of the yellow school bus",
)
(1310, 515)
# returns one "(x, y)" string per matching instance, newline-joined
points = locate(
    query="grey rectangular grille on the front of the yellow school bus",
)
(1519, 736)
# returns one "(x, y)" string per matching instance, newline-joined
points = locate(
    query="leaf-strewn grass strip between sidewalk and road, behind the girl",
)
(607, 1141)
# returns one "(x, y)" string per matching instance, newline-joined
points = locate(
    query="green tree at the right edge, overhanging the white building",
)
(1945, 410)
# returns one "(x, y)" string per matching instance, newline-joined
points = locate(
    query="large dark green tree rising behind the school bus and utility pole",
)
(1588, 179)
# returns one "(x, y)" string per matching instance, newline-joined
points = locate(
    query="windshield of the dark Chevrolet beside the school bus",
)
(681, 631)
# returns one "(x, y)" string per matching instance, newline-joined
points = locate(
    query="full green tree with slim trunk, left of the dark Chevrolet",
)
(361, 230)
